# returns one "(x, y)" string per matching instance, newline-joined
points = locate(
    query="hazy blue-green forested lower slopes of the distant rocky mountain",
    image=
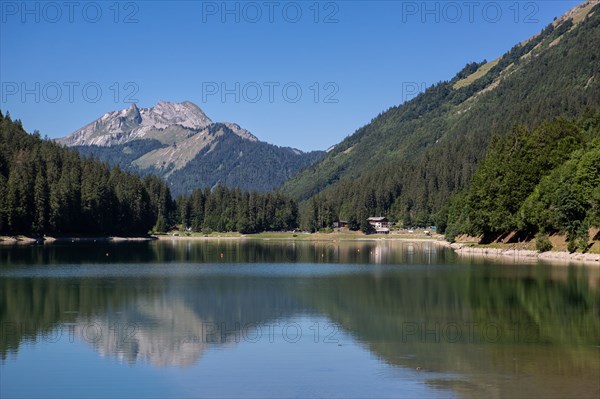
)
(229, 161)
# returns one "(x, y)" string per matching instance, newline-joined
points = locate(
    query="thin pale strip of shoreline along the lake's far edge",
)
(463, 249)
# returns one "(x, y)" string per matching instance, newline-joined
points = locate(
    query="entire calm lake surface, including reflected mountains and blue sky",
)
(283, 319)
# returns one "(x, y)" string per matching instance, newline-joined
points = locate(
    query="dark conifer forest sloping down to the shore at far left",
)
(48, 189)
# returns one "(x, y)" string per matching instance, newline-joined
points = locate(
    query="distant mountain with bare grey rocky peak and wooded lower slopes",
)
(178, 142)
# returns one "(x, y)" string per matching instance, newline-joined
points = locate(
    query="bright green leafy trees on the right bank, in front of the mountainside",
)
(541, 181)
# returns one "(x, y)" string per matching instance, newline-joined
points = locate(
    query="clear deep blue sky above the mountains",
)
(245, 61)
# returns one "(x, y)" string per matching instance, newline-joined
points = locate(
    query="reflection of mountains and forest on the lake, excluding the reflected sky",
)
(475, 327)
